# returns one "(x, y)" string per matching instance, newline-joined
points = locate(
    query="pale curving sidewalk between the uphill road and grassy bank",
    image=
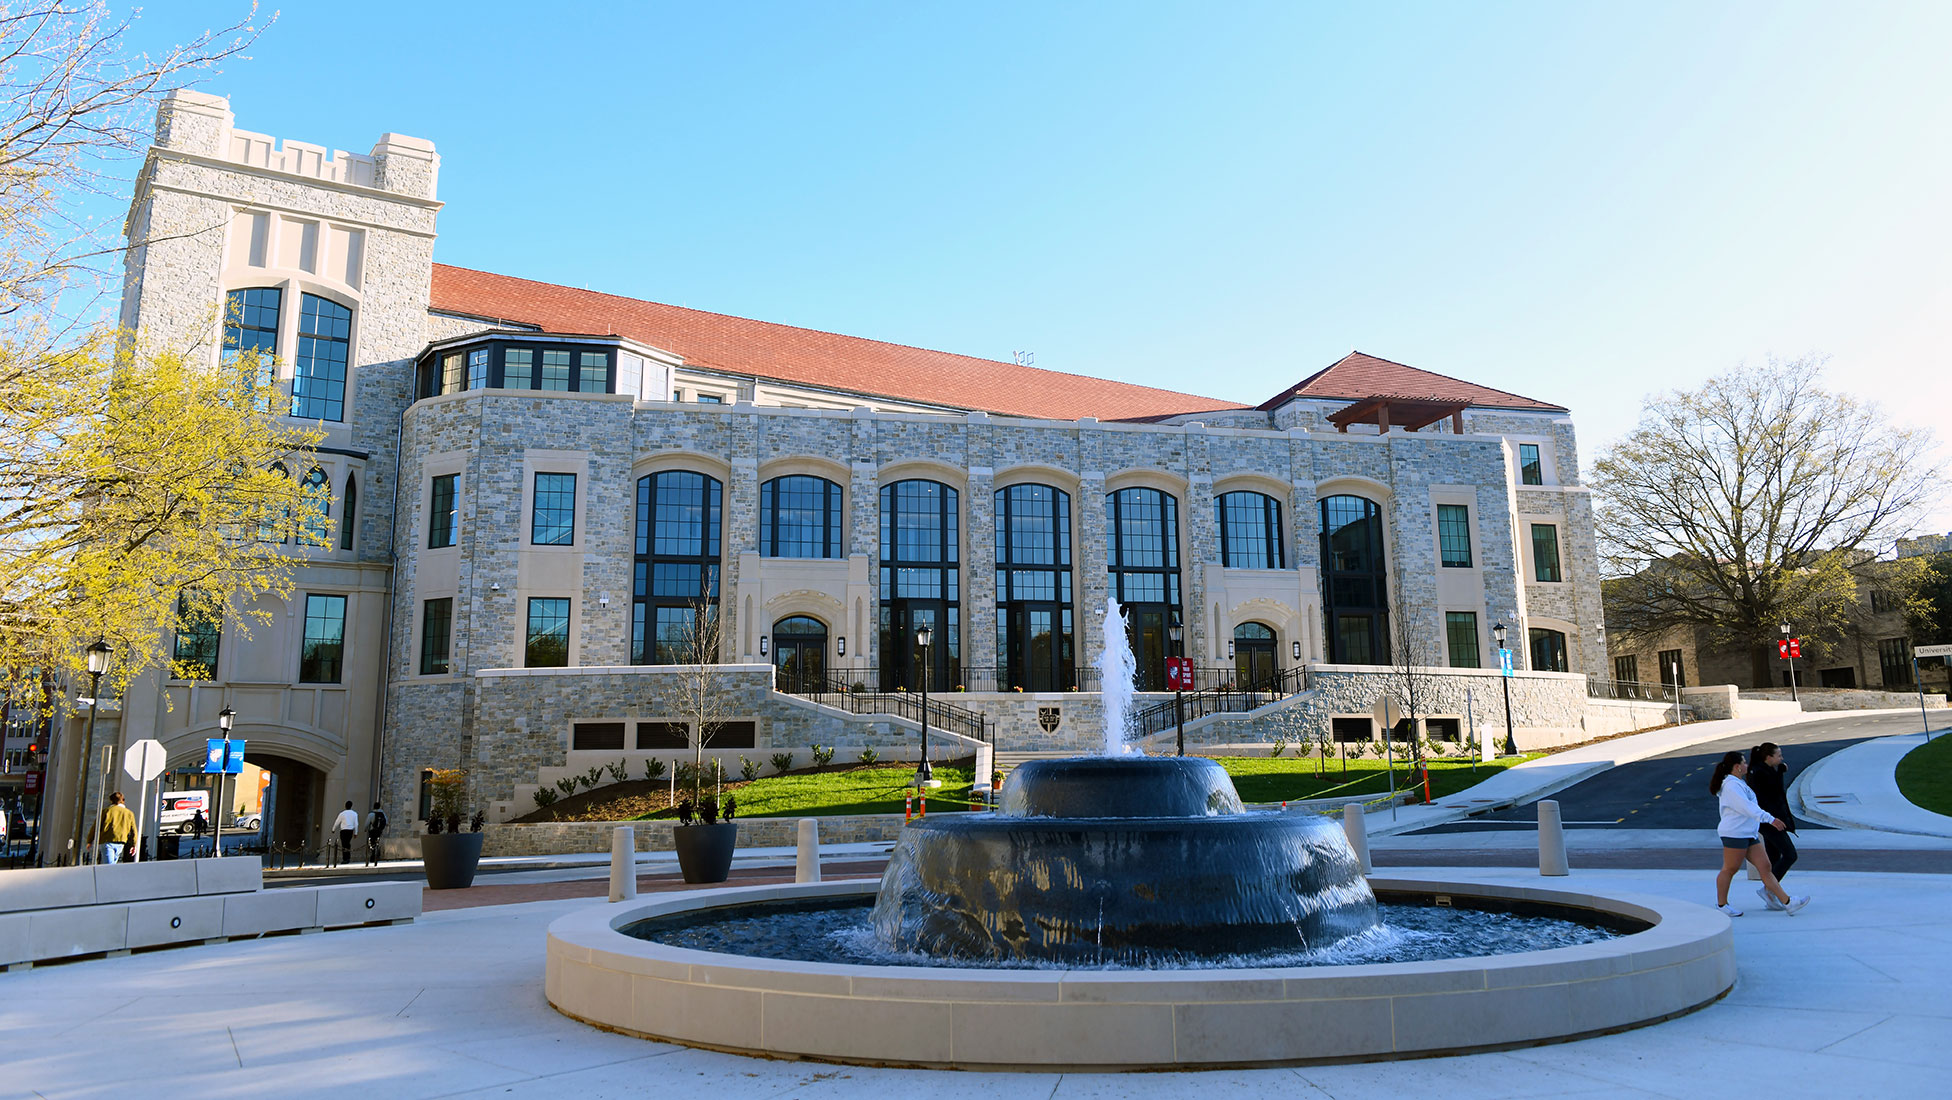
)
(1547, 775)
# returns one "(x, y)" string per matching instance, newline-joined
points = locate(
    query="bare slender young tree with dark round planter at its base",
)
(704, 847)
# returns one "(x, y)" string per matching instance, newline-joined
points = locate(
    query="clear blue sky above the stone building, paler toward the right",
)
(1574, 202)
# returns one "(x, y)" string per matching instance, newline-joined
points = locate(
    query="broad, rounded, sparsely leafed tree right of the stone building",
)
(1756, 500)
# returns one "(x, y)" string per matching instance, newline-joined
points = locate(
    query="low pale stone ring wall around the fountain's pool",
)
(1141, 1019)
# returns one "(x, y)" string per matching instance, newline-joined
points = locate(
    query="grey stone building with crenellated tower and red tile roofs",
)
(538, 485)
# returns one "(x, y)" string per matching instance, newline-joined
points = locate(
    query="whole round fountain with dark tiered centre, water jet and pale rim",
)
(1127, 912)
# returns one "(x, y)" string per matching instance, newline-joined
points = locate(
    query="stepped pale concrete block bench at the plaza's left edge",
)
(60, 914)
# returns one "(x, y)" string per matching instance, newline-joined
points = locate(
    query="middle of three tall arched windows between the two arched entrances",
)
(1034, 588)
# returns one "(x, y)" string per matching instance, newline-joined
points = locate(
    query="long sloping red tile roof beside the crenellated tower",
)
(809, 358)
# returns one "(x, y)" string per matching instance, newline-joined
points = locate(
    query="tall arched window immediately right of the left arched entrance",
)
(920, 586)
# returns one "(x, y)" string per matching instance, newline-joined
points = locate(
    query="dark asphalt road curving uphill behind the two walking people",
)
(1672, 793)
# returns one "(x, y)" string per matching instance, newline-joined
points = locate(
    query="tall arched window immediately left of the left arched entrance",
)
(676, 572)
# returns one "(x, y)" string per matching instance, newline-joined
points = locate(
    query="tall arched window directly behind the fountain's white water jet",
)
(1145, 574)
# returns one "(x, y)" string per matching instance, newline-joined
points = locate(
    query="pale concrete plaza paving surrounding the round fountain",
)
(1850, 1000)
